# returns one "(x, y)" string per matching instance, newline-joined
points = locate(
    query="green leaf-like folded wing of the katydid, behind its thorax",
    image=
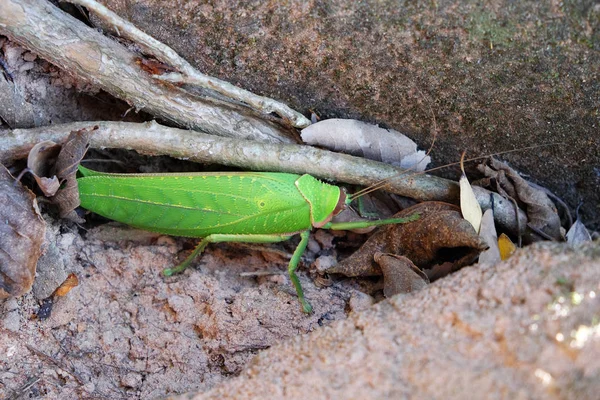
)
(200, 205)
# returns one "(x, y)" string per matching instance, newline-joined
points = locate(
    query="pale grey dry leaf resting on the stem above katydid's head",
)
(366, 140)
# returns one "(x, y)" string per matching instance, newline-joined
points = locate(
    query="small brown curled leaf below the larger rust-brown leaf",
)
(400, 275)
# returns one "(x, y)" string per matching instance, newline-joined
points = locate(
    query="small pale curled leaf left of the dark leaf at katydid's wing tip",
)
(40, 162)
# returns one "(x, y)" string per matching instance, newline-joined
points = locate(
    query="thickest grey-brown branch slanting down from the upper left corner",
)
(90, 56)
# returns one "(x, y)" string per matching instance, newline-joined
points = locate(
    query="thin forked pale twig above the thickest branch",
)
(188, 73)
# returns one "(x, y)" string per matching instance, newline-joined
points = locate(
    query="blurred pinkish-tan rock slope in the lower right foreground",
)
(527, 328)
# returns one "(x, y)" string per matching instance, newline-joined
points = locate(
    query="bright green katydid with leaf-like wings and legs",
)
(250, 207)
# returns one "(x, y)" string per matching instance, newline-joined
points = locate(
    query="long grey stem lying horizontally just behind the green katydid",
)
(154, 139)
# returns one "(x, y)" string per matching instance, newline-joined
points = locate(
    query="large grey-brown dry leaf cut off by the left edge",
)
(21, 236)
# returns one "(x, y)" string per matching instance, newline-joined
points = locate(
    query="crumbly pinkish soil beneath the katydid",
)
(126, 331)
